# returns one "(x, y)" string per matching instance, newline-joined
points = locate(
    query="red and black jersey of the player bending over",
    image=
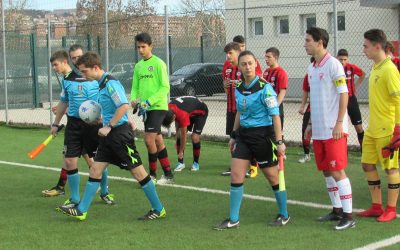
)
(185, 107)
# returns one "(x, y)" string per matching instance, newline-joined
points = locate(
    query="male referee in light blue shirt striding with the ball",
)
(117, 144)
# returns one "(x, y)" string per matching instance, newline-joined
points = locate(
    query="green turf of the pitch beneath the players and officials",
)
(30, 221)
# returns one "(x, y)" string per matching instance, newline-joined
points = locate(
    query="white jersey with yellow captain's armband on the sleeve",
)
(327, 81)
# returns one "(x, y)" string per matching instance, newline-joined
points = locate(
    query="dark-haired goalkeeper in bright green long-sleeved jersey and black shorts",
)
(150, 89)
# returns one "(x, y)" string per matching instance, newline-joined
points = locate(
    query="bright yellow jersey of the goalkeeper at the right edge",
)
(384, 96)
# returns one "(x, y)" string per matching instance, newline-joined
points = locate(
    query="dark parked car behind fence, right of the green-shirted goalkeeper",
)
(197, 79)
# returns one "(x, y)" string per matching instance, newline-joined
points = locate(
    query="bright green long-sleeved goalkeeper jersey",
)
(150, 82)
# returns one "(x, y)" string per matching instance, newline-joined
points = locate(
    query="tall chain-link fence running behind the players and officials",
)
(195, 42)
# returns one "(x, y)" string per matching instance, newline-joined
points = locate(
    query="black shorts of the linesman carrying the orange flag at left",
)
(80, 137)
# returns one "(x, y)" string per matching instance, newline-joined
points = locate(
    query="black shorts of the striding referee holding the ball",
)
(118, 148)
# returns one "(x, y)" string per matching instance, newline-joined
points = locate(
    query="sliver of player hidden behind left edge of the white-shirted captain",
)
(305, 112)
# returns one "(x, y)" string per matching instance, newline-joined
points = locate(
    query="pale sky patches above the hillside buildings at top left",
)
(70, 4)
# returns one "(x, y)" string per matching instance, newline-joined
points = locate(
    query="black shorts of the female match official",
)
(256, 143)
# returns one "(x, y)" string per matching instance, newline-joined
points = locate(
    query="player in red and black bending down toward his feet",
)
(189, 114)
